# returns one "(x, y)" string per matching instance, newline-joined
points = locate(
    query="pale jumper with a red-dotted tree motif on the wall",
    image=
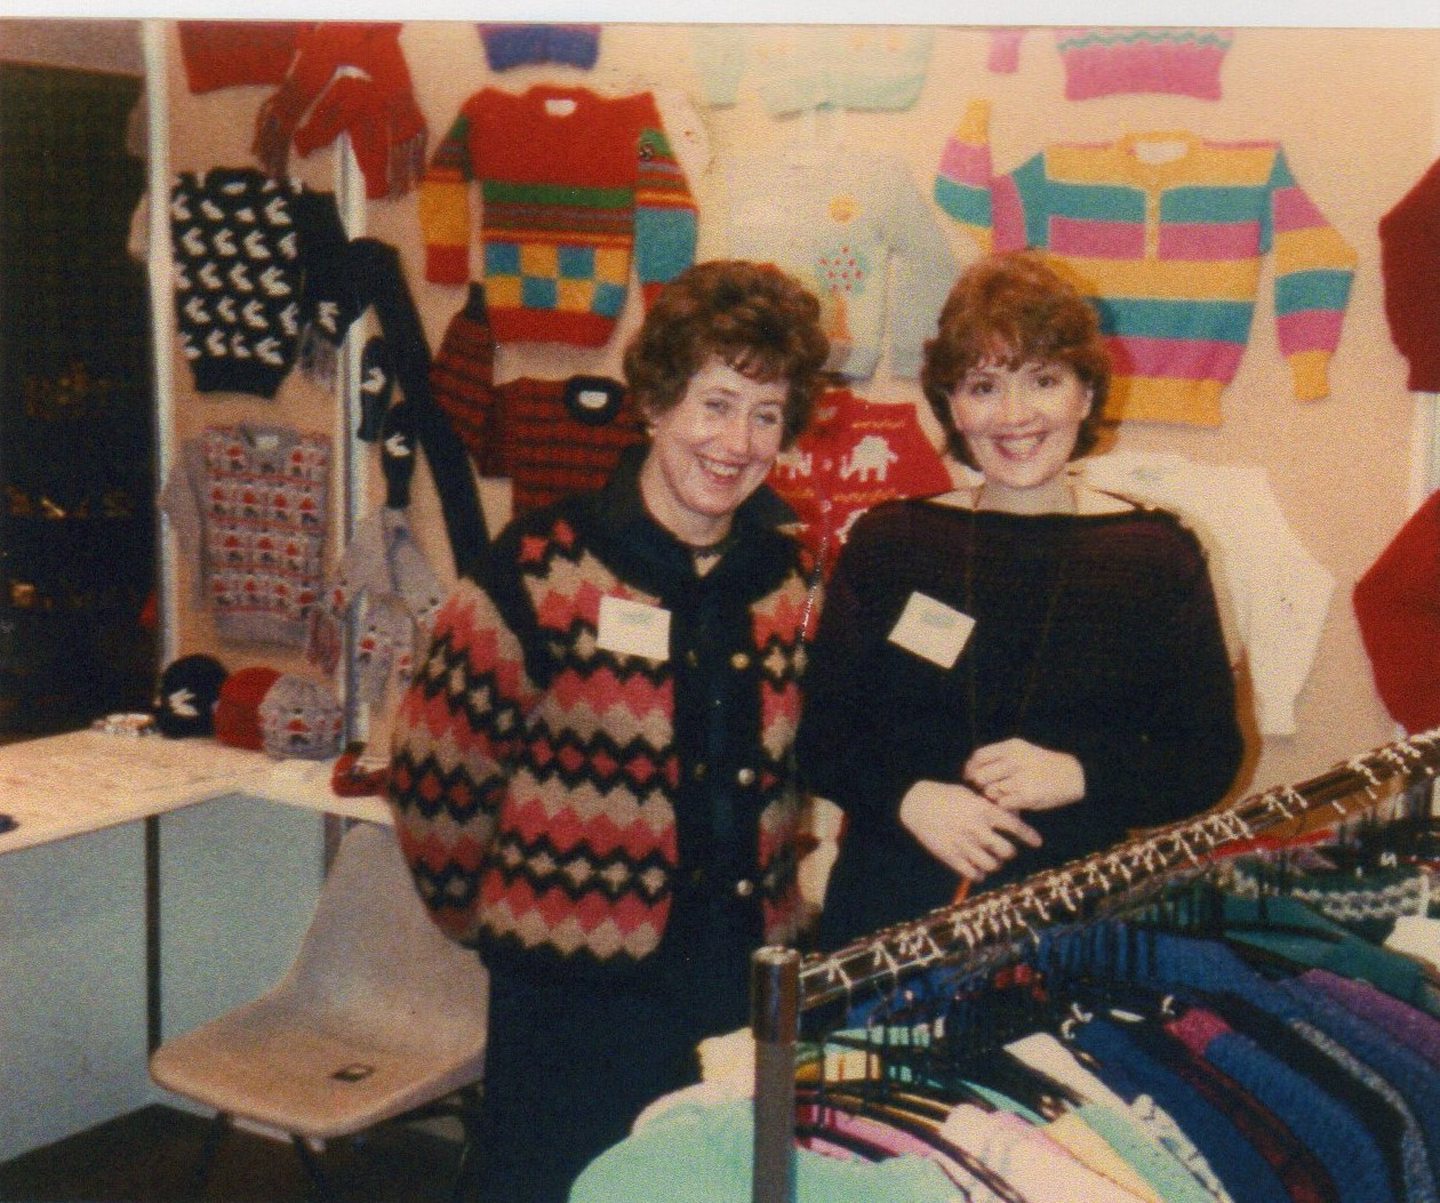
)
(856, 230)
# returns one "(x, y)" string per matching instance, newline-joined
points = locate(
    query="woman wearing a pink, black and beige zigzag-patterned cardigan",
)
(593, 772)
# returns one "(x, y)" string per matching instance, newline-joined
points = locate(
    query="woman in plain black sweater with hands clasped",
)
(1016, 674)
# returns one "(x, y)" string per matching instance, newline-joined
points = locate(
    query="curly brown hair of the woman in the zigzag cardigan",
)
(755, 318)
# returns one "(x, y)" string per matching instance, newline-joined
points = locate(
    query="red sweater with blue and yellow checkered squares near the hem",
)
(574, 188)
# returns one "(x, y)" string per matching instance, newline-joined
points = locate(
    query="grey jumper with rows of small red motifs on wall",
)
(251, 506)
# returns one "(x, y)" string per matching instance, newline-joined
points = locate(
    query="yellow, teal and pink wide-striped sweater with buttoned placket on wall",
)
(1170, 253)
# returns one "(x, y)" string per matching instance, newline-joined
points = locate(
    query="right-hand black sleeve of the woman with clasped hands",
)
(1187, 754)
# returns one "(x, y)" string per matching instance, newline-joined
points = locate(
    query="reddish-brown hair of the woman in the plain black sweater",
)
(1013, 309)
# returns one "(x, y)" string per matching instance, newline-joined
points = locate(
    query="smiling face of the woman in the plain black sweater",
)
(1020, 424)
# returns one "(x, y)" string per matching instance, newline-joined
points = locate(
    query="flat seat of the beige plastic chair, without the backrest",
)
(282, 1067)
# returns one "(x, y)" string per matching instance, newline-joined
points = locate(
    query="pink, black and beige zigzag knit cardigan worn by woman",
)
(538, 780)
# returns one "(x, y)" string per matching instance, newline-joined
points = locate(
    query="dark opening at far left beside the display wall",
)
(77, 411)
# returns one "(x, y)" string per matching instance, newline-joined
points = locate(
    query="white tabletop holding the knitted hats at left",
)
(64, 786)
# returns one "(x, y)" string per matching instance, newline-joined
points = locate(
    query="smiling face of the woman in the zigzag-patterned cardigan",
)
(712, 450)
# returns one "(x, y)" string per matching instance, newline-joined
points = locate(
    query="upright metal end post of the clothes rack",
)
(775, 976)
